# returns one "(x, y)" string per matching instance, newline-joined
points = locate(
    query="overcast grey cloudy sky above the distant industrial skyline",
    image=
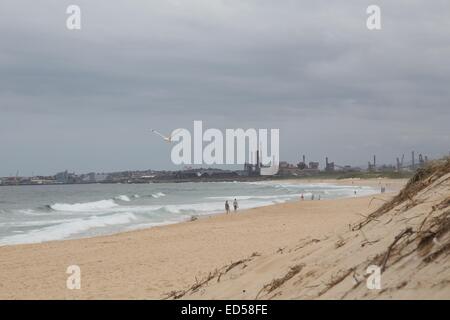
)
(85, 100)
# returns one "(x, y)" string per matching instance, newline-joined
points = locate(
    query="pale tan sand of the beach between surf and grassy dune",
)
(149, 264)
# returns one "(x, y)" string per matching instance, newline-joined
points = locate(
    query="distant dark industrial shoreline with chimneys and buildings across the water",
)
(250, 172)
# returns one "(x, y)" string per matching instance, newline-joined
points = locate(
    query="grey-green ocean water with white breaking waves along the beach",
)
(30, 214)
